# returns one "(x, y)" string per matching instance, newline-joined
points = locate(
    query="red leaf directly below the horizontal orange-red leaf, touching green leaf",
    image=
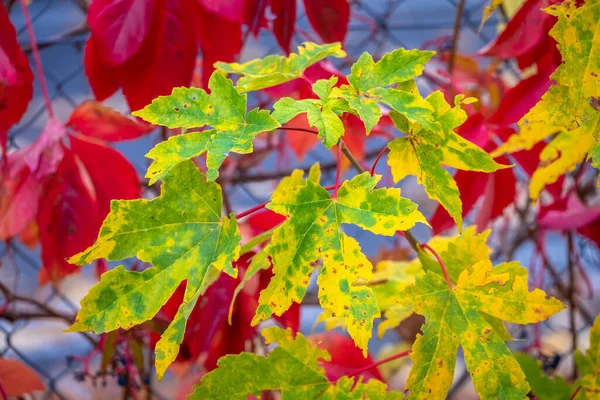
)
(113, 177)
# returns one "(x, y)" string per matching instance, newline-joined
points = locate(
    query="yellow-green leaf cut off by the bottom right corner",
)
(588, 366)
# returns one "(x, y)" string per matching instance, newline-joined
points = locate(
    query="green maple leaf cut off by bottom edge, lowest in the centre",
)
(292, 368)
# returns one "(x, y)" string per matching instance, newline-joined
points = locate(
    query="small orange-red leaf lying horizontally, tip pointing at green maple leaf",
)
(98, 121)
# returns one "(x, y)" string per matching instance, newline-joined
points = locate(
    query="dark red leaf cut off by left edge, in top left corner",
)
(16, 78)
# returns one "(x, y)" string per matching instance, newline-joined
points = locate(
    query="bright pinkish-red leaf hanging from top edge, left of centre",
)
(119, 27)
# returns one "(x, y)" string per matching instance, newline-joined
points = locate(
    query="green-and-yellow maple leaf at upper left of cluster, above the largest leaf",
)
(224, 109)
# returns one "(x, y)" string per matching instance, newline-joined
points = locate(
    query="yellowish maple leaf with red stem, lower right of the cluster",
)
(470, 315)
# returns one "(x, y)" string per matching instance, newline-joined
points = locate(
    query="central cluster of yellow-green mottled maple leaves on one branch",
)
(183, 235)
